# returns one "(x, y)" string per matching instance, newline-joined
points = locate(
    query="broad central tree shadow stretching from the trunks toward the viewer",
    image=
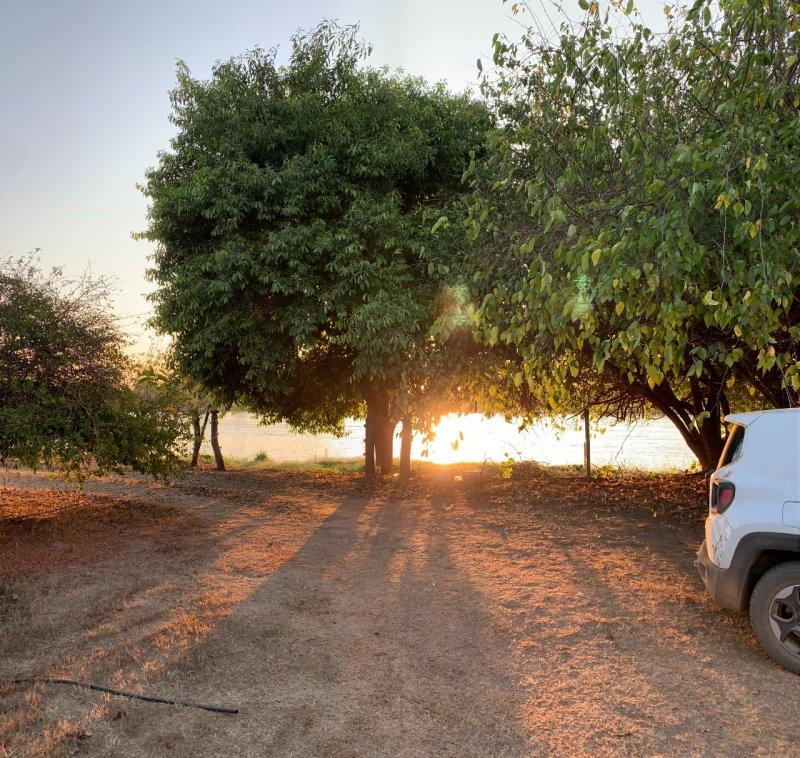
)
(369, 641)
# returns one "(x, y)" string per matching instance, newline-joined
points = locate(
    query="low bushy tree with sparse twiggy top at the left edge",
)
(66, 396)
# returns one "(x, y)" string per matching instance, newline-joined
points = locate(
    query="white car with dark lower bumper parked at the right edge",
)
(751, 552)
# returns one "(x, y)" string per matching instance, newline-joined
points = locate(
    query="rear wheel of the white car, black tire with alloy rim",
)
(775, 613)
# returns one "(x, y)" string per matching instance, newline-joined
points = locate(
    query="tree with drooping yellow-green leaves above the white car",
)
(640, 206)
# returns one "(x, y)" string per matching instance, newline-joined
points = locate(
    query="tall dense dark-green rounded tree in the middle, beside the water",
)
(292, 217)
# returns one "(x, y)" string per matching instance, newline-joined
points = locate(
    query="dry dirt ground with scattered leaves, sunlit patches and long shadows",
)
(532, 617)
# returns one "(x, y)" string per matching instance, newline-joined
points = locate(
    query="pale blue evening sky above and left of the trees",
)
(84, 98)
